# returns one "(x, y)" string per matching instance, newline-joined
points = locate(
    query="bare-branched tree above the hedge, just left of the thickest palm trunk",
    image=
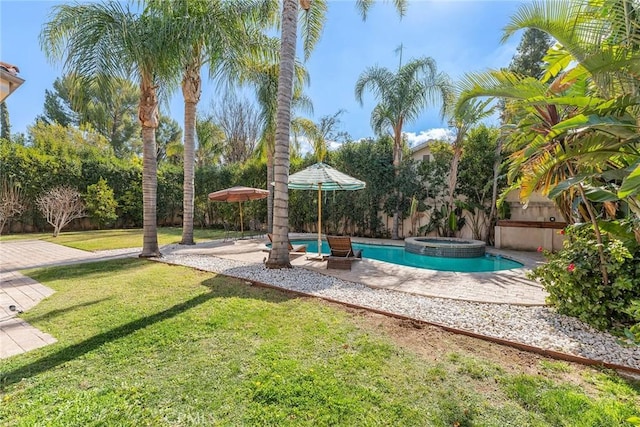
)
(239, 119)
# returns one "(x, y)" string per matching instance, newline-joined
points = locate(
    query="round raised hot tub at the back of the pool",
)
(449, 247)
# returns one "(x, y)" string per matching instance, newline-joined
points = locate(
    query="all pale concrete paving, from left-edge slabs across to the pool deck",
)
(19, 293)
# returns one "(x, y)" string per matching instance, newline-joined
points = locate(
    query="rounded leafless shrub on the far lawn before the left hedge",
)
(60, 206)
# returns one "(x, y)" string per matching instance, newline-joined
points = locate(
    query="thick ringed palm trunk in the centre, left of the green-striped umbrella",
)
(279, 255)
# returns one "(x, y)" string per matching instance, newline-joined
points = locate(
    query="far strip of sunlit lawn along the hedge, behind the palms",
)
(95, 240)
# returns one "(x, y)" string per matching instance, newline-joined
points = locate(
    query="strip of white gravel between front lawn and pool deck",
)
(536, 326)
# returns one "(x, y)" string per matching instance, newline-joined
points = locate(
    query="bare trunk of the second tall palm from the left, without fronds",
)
(191, 90)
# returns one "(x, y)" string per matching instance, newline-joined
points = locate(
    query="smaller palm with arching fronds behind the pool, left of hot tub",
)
(402, 96)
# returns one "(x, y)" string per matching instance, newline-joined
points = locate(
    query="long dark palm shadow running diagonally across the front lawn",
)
(218, 287)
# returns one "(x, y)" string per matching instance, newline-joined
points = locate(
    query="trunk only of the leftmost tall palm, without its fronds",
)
(148, 115)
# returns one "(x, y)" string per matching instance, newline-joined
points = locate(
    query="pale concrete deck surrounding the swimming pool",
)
(497, 287)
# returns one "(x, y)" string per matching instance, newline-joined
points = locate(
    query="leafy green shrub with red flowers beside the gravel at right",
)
(573, 279)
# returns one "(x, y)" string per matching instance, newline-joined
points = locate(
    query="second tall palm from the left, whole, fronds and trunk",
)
(219, 34)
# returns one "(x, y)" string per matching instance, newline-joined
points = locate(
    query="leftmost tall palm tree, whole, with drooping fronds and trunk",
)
(98, 41)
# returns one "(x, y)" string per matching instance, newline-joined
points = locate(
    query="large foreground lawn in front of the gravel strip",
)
(144, 343)
